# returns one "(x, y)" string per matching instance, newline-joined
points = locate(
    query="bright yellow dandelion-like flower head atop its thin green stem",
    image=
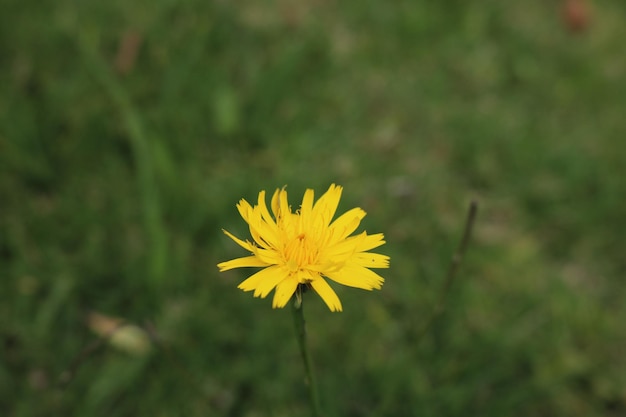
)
(303, 247)
